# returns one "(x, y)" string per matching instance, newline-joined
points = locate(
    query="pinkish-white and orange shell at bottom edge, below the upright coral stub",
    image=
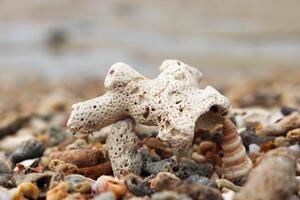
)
(108, 183)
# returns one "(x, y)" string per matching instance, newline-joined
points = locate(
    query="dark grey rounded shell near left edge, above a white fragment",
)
(27, 150)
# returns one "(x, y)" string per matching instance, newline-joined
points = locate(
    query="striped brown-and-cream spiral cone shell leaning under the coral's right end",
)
(235, 162)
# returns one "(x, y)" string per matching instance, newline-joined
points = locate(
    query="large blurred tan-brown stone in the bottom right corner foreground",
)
(273, 179)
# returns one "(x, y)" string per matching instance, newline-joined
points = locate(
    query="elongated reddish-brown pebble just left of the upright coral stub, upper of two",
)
(80, 157)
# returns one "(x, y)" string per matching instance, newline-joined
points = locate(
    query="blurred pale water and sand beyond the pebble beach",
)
(74, 38)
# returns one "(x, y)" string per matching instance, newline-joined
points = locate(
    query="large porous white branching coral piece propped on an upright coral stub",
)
(172, 101)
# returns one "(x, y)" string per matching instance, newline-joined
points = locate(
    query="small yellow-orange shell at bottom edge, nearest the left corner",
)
(25, 191)
